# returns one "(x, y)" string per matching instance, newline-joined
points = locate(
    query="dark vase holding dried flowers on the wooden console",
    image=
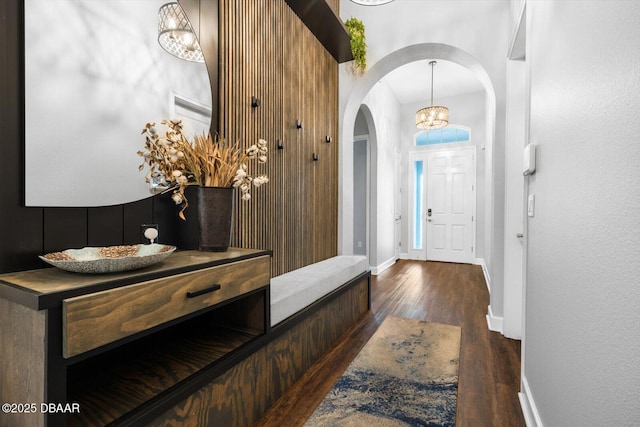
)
(209, 216)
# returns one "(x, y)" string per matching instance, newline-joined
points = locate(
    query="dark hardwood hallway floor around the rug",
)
(454, 294)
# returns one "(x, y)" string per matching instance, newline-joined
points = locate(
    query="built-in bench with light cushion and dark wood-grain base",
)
(311, 309)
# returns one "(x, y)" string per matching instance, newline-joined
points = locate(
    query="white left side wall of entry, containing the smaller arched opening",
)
(385, 112)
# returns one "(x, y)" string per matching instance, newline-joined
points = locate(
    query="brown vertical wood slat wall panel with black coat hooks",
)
(267, 52)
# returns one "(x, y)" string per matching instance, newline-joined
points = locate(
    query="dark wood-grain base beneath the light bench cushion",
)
(275, 362)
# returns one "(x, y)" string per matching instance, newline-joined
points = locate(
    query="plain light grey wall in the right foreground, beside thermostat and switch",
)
(582, 351)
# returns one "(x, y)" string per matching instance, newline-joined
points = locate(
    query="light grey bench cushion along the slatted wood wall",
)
(293, 291)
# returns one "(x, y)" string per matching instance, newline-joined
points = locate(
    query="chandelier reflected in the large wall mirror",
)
(176, 35)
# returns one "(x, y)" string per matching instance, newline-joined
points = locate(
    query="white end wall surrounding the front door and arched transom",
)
(466, 110)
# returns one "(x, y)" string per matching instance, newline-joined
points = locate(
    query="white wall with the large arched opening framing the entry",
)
(438, 29)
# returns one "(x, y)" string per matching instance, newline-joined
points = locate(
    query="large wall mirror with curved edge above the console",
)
(94, 76)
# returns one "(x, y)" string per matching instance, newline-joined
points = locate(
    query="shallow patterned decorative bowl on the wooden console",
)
(109, 259)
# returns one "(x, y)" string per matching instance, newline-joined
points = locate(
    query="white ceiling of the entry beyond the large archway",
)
(412, 82)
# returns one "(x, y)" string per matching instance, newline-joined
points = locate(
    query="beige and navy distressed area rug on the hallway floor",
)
(406, 375)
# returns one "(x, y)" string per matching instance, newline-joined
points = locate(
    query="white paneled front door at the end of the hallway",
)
(450, 205)
